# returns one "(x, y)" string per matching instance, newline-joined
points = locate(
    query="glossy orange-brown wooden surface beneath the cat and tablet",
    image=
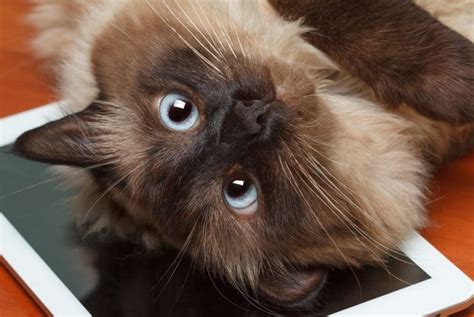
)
(22, 86)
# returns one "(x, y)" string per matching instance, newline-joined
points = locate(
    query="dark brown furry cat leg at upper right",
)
(401, 52)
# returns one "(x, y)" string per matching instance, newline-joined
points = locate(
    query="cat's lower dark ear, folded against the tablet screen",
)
(293, 289)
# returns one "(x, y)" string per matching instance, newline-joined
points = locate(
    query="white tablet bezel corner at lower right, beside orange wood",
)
(448, 289)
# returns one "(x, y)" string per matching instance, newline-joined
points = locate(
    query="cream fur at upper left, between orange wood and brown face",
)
(67, 31)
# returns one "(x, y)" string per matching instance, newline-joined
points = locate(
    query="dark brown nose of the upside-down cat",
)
(245, 120)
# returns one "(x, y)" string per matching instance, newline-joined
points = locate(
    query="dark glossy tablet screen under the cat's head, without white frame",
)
(116, 278)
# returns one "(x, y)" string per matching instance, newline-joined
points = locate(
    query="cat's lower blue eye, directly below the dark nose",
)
(241, 195)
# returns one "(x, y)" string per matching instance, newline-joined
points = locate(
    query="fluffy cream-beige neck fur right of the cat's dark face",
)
(386, 169)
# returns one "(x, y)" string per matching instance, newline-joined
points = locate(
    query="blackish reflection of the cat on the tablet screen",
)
(132, 281)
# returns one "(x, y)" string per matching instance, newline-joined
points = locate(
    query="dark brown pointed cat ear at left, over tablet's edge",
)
(67, 141)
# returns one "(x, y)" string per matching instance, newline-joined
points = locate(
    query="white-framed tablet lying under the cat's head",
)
(73, 274)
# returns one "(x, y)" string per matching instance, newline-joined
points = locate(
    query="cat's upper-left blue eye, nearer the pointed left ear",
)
(178, 112)
